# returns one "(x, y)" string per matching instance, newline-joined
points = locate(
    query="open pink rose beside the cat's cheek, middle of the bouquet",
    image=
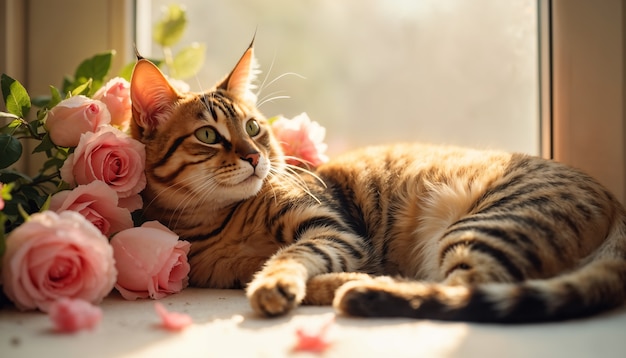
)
(111, 156)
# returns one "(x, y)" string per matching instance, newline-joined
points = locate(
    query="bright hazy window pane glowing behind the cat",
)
(454, 71)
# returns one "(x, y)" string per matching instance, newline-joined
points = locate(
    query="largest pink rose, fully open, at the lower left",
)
(52, 256)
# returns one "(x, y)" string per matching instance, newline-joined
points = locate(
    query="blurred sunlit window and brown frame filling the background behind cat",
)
(545, 77)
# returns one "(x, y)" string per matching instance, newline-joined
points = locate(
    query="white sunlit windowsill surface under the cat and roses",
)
(224, 326)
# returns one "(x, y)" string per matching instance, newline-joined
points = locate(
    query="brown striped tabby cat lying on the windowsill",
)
(407, 230)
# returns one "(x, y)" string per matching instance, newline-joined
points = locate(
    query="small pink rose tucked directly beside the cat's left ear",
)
(115, 94)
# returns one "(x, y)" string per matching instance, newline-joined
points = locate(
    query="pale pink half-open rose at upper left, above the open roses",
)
(74, 116)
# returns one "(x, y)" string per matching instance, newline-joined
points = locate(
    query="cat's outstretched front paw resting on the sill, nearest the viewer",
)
(274, 296)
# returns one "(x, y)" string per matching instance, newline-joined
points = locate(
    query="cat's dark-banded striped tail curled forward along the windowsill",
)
(597, 286)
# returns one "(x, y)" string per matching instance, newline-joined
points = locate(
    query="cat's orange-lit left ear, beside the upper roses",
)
(152, 98)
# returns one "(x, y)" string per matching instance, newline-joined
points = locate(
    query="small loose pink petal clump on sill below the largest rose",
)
(72, 315)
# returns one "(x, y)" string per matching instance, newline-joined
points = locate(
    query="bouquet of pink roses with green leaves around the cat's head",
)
(67, 234)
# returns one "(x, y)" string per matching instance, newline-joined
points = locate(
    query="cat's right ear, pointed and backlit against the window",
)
(239, 81)
